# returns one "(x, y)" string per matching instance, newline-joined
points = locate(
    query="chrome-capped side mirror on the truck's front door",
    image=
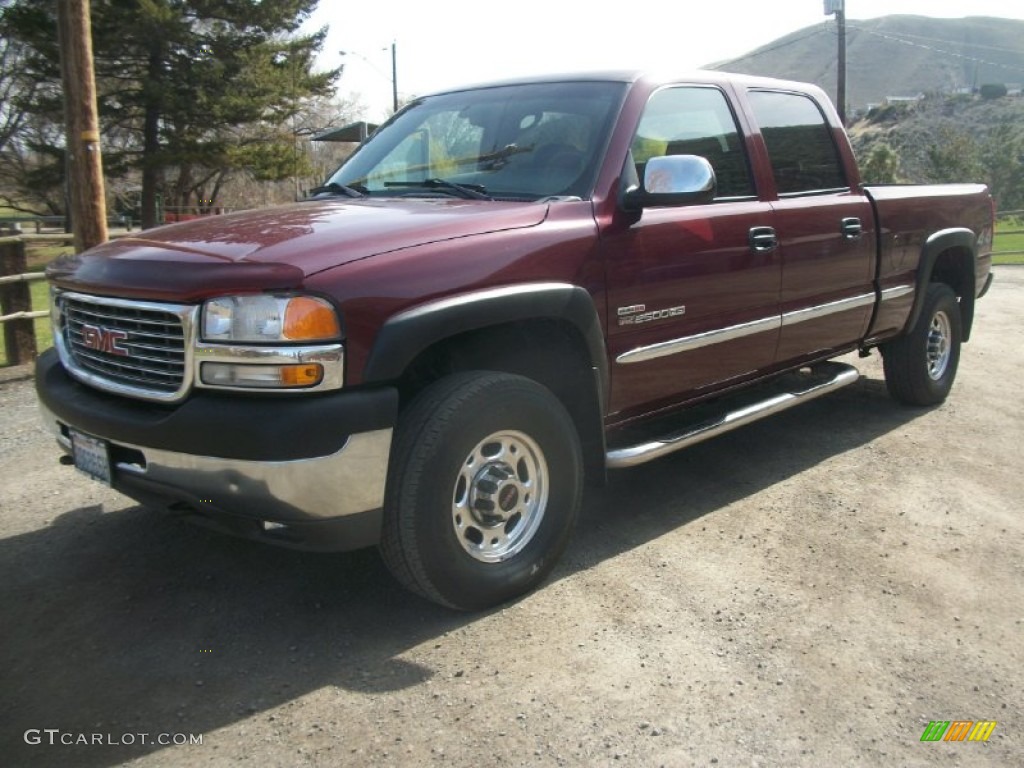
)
(672, 181)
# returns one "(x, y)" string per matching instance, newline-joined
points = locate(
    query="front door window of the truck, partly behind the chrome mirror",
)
(695, 121)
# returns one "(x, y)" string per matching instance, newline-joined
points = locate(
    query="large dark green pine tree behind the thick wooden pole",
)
(188, 90)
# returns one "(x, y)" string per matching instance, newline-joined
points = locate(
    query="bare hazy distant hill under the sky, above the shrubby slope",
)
(897, 56)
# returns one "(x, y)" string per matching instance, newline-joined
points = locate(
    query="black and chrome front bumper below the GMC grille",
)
(308, 472)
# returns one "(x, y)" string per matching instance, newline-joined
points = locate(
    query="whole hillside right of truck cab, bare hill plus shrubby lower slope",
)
(948, 135)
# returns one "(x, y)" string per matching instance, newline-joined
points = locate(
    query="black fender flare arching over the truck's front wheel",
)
(406, 335)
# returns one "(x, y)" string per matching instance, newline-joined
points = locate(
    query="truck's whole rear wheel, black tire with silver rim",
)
(921, 366)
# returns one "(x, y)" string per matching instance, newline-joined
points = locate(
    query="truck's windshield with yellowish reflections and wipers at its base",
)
(507, 143)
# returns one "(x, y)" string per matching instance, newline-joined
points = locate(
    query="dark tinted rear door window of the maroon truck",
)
(803, 155)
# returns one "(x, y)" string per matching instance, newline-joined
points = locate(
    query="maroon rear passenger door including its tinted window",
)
(825, 229)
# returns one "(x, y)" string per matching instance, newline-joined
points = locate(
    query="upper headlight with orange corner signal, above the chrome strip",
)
(264, 319)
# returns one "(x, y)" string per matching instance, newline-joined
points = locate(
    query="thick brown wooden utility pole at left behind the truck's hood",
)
(89, 205)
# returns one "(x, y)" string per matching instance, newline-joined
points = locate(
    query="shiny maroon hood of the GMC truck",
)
(278, 248)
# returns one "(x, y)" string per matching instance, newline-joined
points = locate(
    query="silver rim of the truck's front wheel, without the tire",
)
(500, 497)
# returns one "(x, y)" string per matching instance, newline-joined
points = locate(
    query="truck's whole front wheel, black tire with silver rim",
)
(485, 485)
